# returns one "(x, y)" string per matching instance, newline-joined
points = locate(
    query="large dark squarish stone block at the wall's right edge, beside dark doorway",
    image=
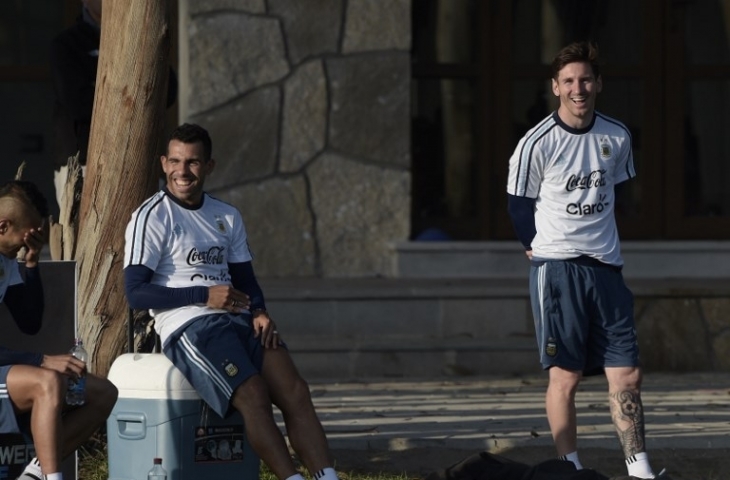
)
(370, 107)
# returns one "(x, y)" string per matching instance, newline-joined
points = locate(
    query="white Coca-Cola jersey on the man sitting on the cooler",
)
(185, 248)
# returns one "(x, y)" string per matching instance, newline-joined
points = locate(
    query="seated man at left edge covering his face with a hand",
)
(34, 385)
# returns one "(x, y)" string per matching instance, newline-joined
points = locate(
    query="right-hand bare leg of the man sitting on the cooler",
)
(290, 393)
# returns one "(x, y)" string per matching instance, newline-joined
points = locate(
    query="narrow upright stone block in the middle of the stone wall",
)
(304, 127)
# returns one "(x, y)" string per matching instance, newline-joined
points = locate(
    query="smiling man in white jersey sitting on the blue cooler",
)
(187, 259)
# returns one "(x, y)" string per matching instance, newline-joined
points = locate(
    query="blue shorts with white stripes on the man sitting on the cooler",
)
(216, 353)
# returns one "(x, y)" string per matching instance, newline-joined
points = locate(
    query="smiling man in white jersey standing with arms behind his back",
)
(561, 184)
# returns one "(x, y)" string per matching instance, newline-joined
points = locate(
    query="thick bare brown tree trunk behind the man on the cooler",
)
(129, 112)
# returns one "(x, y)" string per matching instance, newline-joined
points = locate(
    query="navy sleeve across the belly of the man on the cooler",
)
(142, 294)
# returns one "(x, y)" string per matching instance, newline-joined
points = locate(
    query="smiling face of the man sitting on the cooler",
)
(186, 167)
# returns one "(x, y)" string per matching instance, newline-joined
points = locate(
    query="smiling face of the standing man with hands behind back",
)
(577, 87)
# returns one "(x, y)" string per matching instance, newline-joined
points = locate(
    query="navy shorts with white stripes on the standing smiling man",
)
(584, 315)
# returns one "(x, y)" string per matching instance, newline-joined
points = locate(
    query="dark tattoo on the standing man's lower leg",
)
(627, 414)
